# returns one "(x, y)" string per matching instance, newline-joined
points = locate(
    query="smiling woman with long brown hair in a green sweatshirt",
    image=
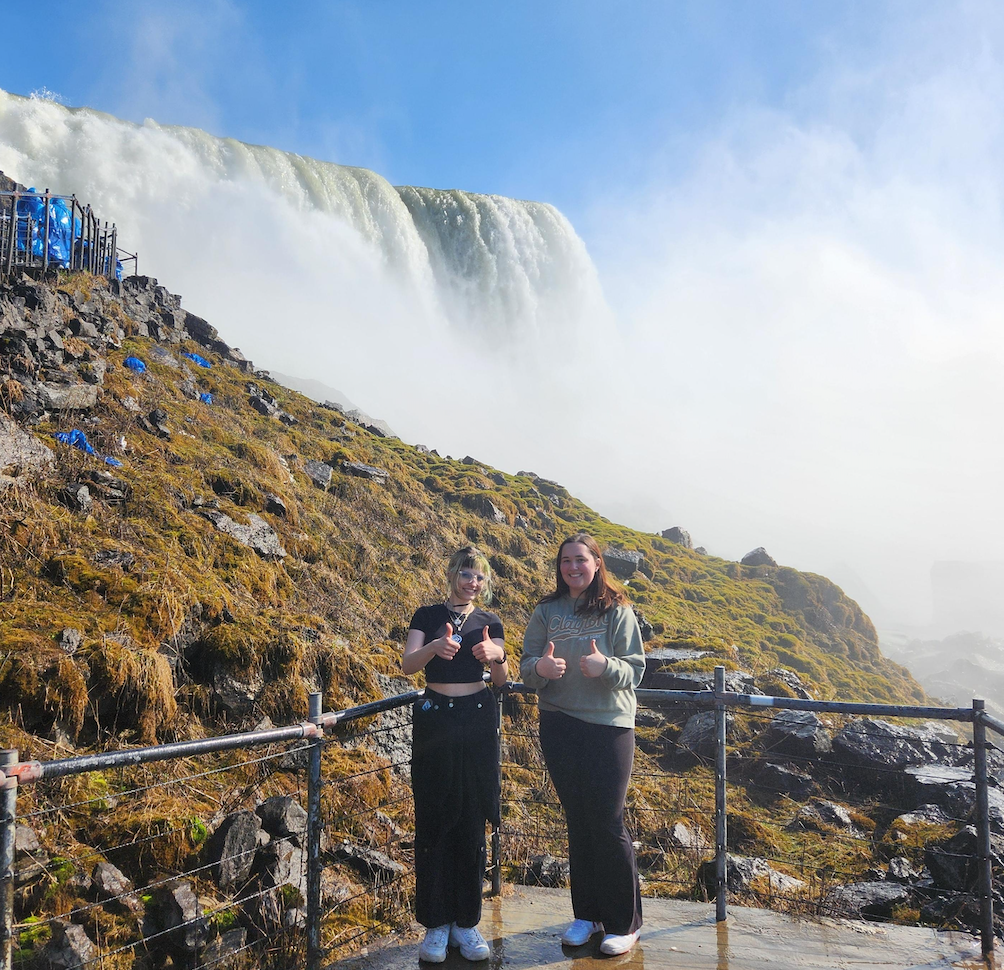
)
(584, 655)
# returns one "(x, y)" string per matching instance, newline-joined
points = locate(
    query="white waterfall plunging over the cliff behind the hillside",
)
(454, 317)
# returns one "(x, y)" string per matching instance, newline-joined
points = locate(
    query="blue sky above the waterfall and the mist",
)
(550, 101)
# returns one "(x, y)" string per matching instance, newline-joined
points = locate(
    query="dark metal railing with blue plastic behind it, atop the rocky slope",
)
(44, 230)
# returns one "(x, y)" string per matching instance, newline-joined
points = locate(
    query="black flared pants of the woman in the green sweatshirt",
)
(591, 768)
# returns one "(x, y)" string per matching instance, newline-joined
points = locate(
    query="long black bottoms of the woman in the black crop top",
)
(455, 779)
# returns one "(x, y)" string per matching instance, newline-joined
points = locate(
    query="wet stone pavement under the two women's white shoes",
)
(525, 925)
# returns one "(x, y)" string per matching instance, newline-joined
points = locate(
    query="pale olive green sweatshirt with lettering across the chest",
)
(608, 699)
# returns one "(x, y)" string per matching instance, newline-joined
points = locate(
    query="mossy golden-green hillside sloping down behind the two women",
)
(187, 601)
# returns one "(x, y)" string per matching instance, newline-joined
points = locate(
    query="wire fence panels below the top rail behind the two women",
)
(207, 858)
